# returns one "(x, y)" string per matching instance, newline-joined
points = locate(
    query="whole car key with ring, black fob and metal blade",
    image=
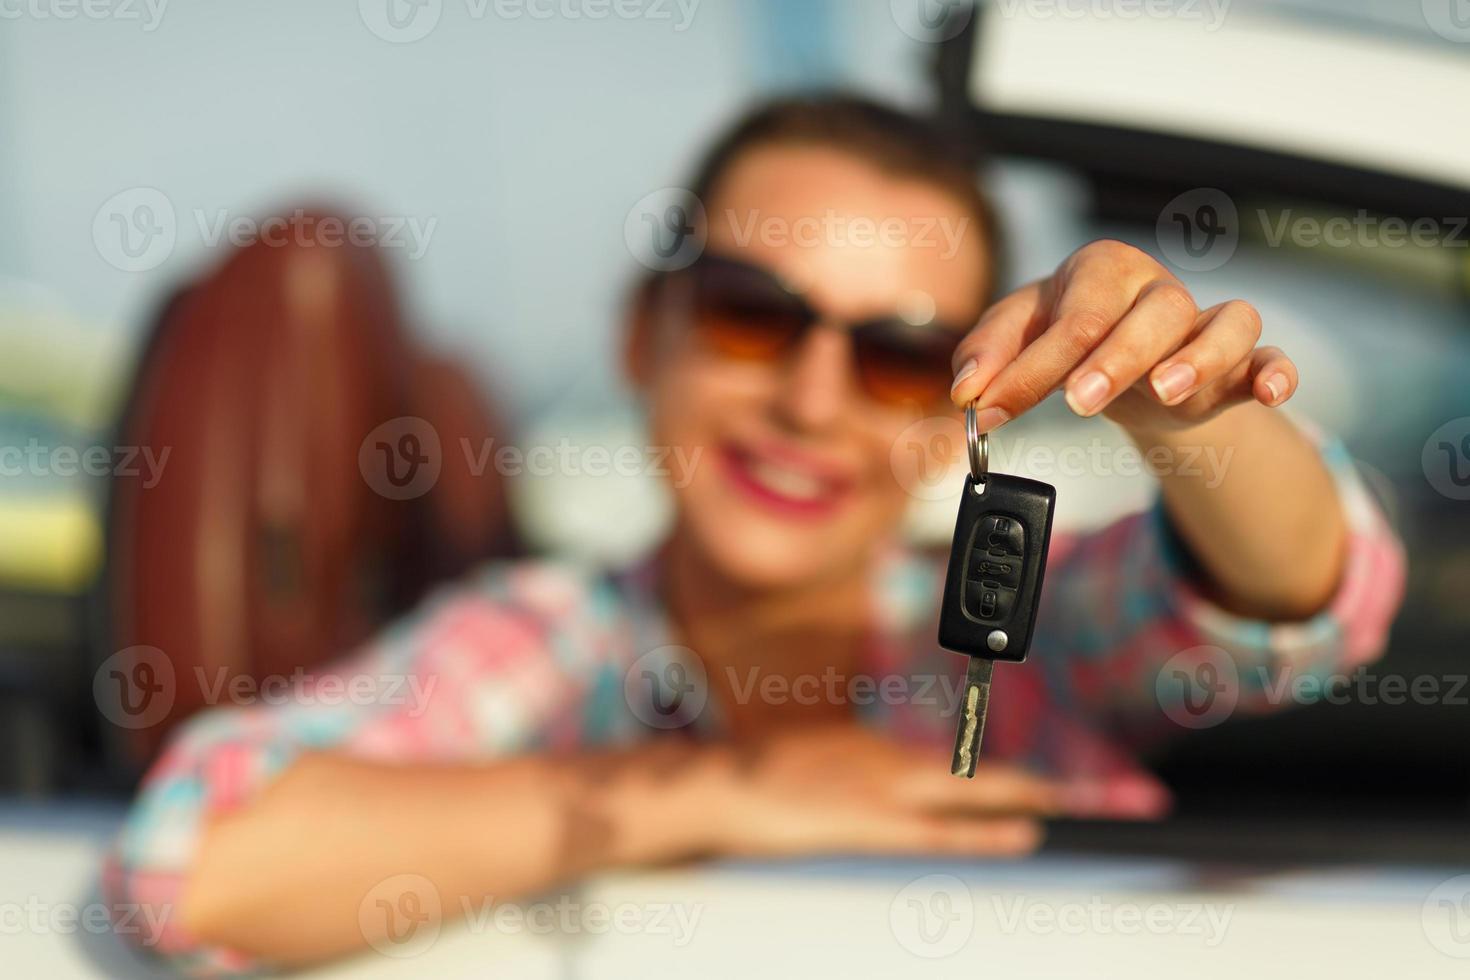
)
(993, 587)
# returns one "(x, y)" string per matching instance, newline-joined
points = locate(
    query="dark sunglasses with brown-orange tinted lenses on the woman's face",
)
(749, 314)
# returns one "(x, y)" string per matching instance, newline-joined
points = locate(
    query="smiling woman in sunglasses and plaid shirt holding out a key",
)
(790, 365)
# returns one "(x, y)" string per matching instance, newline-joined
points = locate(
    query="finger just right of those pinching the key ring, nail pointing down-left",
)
(1161, 321)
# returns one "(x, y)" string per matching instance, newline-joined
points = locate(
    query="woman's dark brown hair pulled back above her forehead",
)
(893, 140)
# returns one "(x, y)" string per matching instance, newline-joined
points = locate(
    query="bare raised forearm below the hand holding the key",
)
(1265, 525)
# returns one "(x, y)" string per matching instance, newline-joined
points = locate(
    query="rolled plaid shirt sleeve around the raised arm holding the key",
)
(1133, 618)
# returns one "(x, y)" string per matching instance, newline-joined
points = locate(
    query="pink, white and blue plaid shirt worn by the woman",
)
(540, 656)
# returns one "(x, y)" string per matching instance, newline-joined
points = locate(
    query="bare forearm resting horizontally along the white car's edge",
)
(283, 879)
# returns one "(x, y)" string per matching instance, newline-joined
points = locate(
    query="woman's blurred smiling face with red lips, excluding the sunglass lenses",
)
(796, 477)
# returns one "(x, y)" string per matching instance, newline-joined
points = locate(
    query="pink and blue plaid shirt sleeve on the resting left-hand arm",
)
(499, 666)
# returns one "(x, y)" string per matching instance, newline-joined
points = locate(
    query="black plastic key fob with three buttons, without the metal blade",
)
(997, 562)
